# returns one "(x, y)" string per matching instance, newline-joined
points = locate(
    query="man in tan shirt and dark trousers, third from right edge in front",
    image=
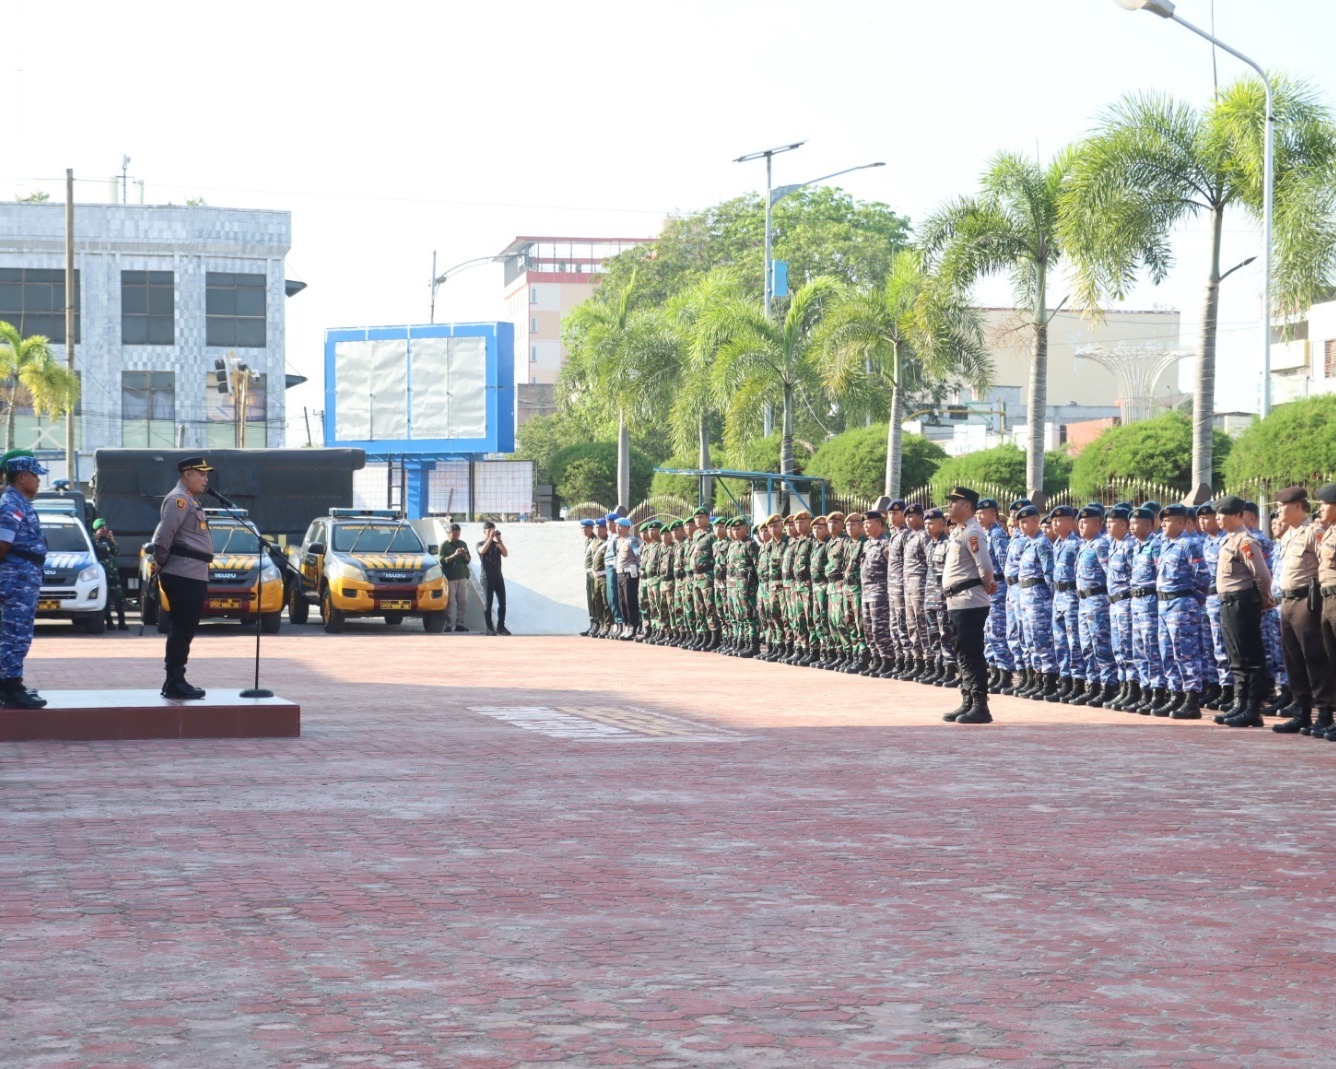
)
(1243, 586)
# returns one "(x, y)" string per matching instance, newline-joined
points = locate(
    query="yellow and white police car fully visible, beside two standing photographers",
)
(367, 563)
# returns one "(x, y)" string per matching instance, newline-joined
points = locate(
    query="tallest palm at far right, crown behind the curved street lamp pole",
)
(1155, 164)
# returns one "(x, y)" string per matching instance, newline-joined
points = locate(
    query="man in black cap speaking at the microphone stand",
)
(182, 553)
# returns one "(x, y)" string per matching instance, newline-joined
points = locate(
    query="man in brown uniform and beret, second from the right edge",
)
(1301, 610)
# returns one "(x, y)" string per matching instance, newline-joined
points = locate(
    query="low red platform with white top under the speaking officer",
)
(94, 716)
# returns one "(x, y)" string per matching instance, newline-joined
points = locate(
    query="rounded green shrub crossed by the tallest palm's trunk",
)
(1154, 451)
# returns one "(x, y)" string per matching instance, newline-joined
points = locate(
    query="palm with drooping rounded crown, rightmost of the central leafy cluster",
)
(910, 333)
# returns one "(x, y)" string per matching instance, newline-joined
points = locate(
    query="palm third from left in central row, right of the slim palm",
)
(762, 363)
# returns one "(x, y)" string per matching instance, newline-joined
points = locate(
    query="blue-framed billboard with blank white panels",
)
(431, 391)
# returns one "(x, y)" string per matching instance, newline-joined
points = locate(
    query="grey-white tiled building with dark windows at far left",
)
(162, 295)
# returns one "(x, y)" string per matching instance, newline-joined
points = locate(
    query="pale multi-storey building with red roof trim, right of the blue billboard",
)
(544, 279)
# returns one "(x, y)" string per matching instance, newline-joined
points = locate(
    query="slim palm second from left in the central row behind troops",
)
(694, 403)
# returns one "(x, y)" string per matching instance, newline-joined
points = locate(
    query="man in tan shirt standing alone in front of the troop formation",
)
(968, 586)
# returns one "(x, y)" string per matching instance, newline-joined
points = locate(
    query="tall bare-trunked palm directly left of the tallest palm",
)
(1009, 228)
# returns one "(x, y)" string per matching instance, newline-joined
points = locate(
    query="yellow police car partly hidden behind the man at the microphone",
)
(236, 574)
